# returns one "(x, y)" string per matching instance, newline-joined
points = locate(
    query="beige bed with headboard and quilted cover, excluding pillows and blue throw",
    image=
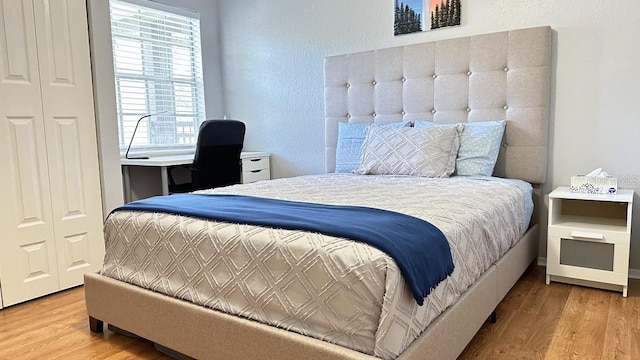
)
(477, 79)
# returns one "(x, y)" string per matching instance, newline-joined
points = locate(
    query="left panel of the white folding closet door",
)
(27, 246)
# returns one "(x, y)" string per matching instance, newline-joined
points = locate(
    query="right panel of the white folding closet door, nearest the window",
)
(72, 150)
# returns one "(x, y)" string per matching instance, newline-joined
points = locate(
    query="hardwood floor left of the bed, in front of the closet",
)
(55, 327)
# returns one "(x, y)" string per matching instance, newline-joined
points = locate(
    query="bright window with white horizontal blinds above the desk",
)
(158, 71)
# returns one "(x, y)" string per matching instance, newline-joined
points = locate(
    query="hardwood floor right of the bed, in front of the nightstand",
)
(559, 321)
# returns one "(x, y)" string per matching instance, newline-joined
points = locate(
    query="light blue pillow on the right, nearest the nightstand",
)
(479, 146)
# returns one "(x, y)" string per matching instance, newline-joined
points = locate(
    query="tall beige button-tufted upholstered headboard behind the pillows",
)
(497, 76)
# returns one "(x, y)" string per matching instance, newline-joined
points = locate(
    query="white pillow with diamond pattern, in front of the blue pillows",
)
(426, 152)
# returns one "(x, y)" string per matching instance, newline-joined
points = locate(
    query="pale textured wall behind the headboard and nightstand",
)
(273, 75)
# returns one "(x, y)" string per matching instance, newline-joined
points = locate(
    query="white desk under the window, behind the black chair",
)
(164, 162)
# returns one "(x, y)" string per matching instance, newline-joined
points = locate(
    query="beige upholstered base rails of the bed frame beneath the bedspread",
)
(204, 333)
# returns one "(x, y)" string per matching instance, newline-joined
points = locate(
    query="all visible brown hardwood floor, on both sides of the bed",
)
(535, 321)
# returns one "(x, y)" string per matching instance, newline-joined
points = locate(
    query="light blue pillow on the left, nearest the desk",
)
(350, 139)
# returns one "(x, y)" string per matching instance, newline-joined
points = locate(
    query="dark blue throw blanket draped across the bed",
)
(419, 248)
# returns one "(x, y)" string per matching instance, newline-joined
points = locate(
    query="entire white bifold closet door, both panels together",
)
(51, 219)
